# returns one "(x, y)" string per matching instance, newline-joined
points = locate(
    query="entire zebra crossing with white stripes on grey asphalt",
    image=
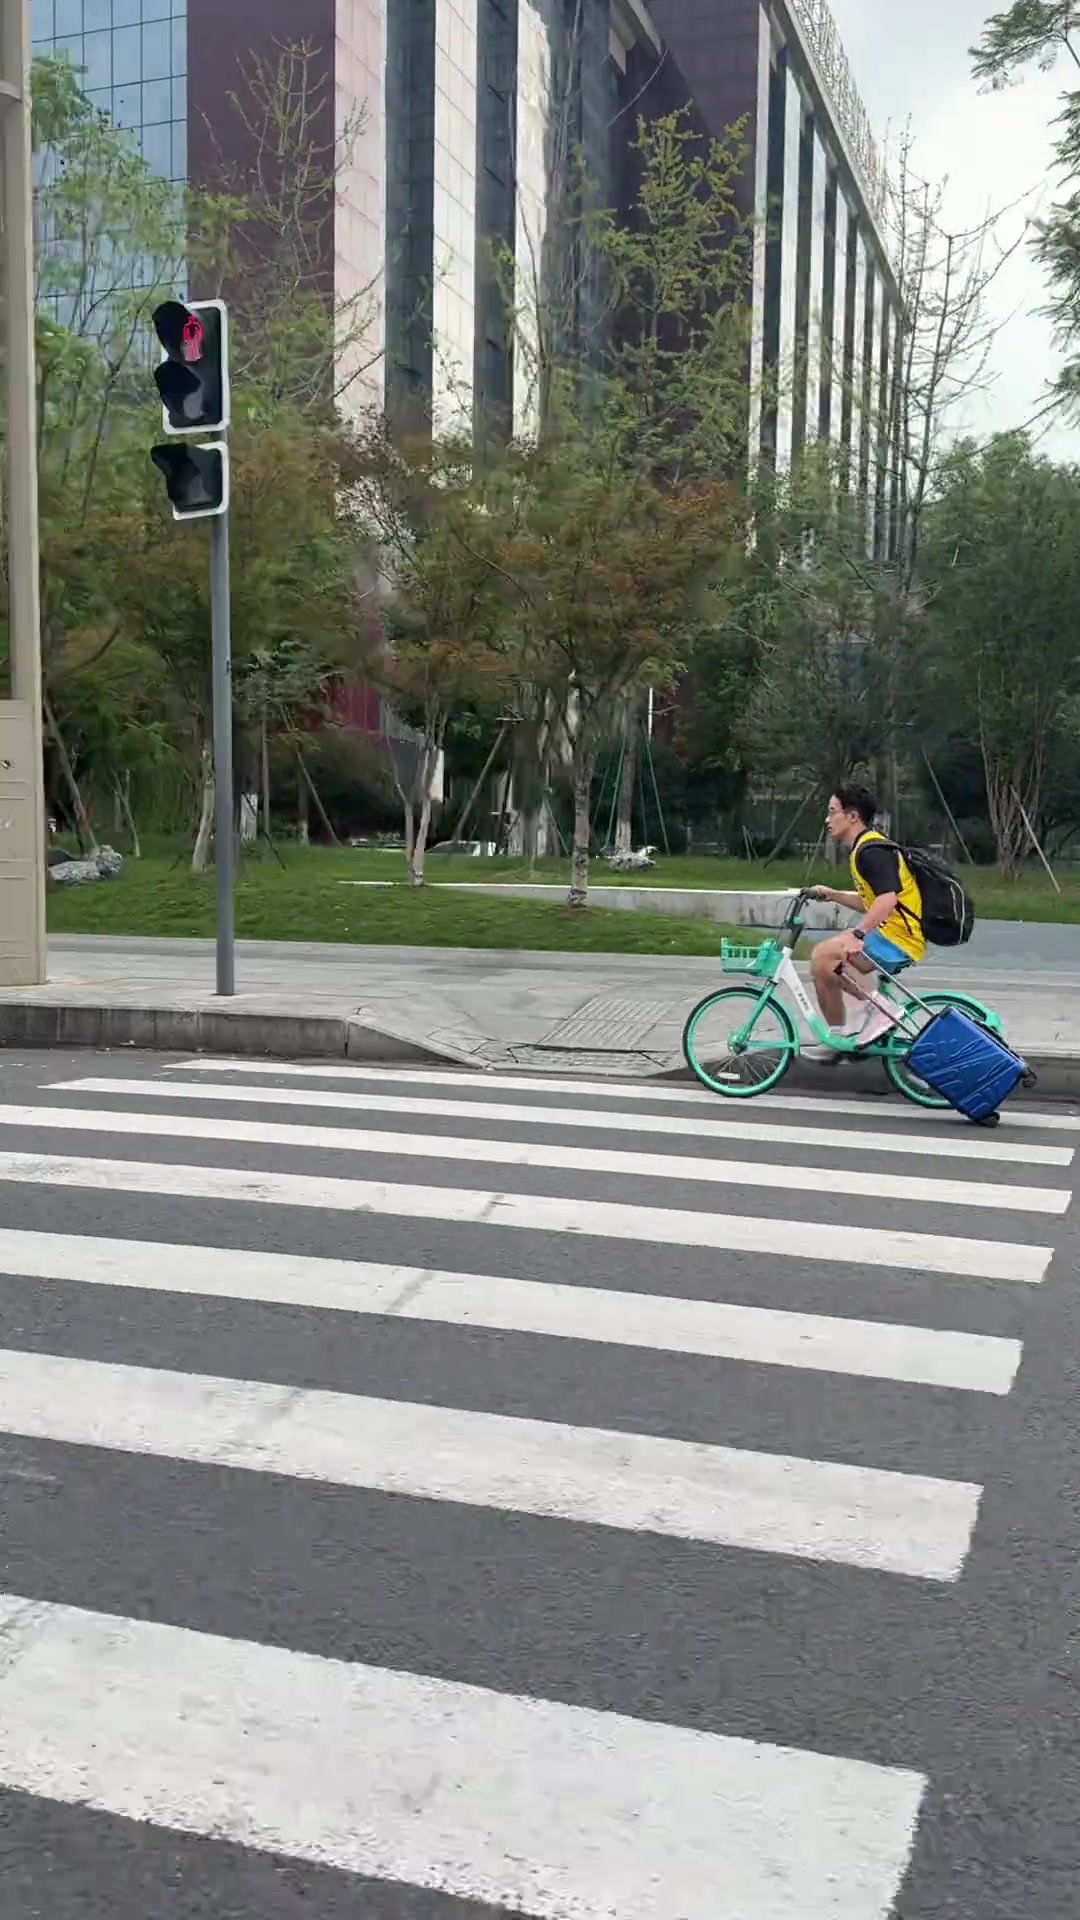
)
(524, 1493)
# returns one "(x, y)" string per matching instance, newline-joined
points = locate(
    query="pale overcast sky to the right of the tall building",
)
(912, 64)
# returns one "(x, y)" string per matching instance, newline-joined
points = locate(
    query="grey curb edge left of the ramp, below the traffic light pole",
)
(182, 1030)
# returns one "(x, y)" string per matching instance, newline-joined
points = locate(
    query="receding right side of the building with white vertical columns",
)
(827, 308)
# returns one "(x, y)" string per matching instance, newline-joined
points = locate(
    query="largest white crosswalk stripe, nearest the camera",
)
(518, 1802)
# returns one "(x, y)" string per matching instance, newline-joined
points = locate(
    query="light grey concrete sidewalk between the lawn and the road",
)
(564, 1013)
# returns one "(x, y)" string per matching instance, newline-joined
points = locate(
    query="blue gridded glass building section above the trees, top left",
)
(135, 59)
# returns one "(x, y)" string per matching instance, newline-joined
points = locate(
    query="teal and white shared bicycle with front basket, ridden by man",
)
(741, 1042)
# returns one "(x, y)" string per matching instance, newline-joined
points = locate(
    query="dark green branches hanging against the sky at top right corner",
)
(1041, 34)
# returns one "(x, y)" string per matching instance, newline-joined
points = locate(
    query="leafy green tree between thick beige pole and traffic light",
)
(110, 243)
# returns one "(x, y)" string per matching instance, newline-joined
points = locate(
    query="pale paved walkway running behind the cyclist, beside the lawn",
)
(618, 1013)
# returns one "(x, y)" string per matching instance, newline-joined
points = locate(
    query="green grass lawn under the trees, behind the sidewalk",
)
(305, 901)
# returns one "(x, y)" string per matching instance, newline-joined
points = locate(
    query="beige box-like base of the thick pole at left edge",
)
(22, 852)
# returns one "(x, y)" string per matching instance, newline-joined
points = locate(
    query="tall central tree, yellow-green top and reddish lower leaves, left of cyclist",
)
(631, 341)
